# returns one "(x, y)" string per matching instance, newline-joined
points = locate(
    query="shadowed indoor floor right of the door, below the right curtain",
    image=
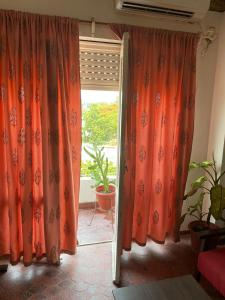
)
(155, 262)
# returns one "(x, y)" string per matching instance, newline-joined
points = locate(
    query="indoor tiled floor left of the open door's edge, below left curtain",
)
(84, 276)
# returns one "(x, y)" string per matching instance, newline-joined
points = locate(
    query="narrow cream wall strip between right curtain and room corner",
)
(206, 68)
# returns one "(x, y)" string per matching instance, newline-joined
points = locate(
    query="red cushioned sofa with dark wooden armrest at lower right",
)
(211, 263)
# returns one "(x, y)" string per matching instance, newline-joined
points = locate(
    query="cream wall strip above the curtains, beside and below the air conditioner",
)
(102, 10)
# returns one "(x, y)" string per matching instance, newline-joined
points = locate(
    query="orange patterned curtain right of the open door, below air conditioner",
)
(159, 130)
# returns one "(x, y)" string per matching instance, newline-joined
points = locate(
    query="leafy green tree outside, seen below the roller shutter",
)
(100, 124)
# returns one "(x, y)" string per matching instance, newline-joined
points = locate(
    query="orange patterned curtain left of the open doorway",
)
(40, 135)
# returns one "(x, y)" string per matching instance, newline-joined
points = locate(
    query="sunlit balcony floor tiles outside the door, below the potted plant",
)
(99, 230)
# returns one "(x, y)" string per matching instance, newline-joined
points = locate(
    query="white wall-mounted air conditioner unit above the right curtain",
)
(190, 10)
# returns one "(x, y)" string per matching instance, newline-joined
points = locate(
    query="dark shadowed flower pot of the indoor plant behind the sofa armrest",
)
(197, 226)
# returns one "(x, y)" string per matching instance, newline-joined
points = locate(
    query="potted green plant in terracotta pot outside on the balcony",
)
(104, 187)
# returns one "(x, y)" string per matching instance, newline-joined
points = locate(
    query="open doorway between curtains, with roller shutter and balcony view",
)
(99, 63)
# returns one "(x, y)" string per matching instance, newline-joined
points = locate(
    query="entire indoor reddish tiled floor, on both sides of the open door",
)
(87, 275)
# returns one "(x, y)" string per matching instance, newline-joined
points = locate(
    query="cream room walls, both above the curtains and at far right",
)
(103, 10)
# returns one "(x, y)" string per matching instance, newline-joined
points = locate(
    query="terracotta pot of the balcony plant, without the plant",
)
(106, 200)
